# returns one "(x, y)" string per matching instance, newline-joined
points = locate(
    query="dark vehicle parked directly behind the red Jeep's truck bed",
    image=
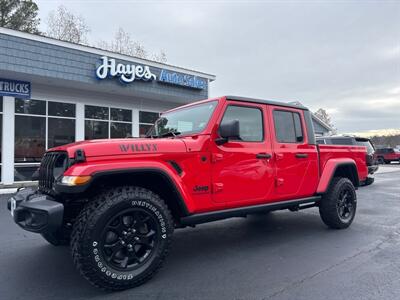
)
(372, 162)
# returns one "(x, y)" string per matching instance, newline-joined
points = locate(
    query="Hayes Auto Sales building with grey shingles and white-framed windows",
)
(54, 92)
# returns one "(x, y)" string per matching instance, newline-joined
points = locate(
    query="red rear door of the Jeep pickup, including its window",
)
(297, 171)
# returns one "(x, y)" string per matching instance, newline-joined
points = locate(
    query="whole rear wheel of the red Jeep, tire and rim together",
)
(338, 206)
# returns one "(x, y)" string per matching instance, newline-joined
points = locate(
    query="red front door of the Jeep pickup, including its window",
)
(241, 169)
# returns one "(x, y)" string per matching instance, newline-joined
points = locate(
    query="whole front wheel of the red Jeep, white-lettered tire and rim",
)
(122, 237)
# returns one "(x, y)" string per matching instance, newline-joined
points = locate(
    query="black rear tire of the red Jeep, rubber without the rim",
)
(328, 207)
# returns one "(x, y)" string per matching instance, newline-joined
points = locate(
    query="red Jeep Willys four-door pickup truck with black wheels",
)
(117, 202)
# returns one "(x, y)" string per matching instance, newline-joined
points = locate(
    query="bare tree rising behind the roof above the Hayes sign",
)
(124, 44)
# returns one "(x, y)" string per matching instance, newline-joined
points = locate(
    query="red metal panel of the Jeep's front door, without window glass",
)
(239, 174)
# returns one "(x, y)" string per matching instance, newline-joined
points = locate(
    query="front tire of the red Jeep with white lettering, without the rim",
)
(88, 256)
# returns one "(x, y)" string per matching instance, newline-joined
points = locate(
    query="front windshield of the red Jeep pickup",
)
(189, 120)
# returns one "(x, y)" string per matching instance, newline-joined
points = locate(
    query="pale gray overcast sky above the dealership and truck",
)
(343, 56)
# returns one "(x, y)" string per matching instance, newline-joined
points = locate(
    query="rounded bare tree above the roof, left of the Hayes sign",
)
(64, 25)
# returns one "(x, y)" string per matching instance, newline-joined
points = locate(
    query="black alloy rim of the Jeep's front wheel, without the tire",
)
(129, 239)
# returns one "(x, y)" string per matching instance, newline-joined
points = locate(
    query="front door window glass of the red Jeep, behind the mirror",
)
(250, 122)
